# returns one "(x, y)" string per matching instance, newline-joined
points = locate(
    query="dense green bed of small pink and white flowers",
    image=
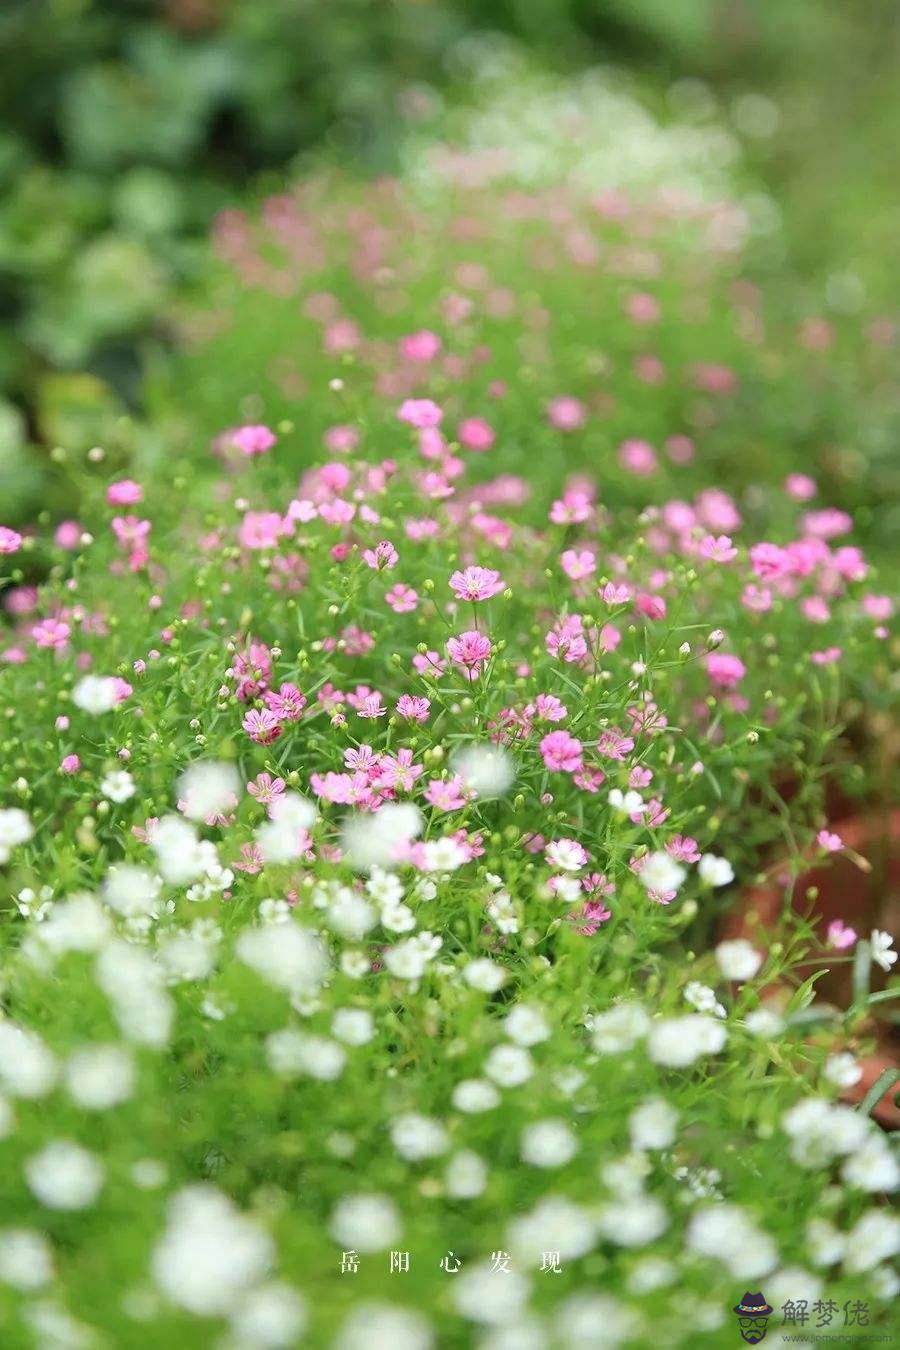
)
(374, 766)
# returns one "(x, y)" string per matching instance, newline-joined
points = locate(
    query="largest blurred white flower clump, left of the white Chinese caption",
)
(210, 1255)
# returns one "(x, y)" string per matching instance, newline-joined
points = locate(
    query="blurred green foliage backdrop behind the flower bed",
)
(128, 125)
